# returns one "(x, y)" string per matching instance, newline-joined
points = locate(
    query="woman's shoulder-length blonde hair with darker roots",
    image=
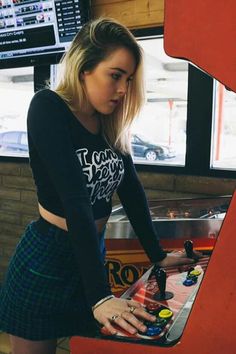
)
(93, 43)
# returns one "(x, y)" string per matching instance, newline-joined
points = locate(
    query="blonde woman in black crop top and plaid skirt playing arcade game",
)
(80, 154)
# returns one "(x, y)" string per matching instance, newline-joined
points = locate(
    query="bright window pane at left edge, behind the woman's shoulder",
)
(16, 91)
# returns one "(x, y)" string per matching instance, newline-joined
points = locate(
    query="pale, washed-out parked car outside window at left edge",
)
(15, 141)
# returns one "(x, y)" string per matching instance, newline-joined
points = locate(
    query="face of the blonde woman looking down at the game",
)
(107, 84)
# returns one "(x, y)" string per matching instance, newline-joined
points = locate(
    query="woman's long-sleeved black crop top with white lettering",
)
(76, 174)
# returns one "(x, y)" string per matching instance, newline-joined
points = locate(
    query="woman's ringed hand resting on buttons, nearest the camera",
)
(127, 314)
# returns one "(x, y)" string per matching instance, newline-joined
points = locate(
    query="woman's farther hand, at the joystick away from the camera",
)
(178, 258)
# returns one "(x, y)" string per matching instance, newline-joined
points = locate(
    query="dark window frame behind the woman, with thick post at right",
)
(199, 121)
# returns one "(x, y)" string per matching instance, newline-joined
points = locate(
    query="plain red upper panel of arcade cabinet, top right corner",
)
(204, 33)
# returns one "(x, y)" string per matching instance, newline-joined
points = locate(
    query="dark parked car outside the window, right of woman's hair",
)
(151, 152)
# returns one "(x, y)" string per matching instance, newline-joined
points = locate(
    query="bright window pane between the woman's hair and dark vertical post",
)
(159, 132)
